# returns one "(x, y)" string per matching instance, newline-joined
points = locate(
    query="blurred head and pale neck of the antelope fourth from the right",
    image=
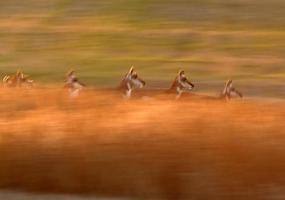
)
(73, 84)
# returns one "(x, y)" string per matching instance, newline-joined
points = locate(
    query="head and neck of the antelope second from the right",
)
(181, 84)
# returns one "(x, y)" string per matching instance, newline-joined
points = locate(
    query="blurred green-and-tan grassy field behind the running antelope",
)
(211, 39)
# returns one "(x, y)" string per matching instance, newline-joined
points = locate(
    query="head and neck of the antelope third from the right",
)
(130, 82)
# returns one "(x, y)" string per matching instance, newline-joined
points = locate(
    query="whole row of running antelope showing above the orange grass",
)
(130, 82)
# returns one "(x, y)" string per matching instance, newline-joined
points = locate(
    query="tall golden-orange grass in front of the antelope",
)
(149, 149)
